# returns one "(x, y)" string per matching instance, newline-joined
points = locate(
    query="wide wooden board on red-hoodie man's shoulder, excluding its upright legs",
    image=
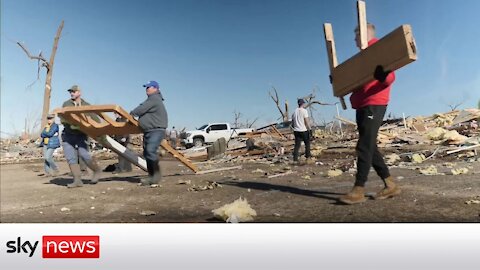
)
(394, 51)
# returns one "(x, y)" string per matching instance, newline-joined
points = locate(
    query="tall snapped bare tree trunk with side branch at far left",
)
(49, 66)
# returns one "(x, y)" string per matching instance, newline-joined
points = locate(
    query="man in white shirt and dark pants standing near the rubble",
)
(301, 129)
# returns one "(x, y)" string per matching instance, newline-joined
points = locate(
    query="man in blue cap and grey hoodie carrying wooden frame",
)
(153, 120)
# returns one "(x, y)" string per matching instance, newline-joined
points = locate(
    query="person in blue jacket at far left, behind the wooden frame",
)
(50, 142)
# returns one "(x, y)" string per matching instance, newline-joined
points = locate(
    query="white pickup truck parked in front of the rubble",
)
(209, 133)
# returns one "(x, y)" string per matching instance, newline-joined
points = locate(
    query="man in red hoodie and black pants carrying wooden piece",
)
(370, 102)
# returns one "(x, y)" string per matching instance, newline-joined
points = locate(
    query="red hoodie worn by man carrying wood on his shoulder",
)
(374, 92)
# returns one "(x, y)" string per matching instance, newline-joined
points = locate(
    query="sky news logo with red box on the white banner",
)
(59, 246)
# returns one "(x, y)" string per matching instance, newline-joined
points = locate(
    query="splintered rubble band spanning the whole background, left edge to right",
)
(454, 132)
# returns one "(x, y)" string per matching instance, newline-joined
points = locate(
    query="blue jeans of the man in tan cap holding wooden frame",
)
(75, 145)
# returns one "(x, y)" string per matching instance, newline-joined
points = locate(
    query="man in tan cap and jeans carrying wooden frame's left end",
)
(75, 142)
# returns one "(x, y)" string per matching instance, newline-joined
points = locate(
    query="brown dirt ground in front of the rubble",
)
(26, 196)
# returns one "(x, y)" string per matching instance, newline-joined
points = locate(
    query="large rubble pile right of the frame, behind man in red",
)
(406, 143)
